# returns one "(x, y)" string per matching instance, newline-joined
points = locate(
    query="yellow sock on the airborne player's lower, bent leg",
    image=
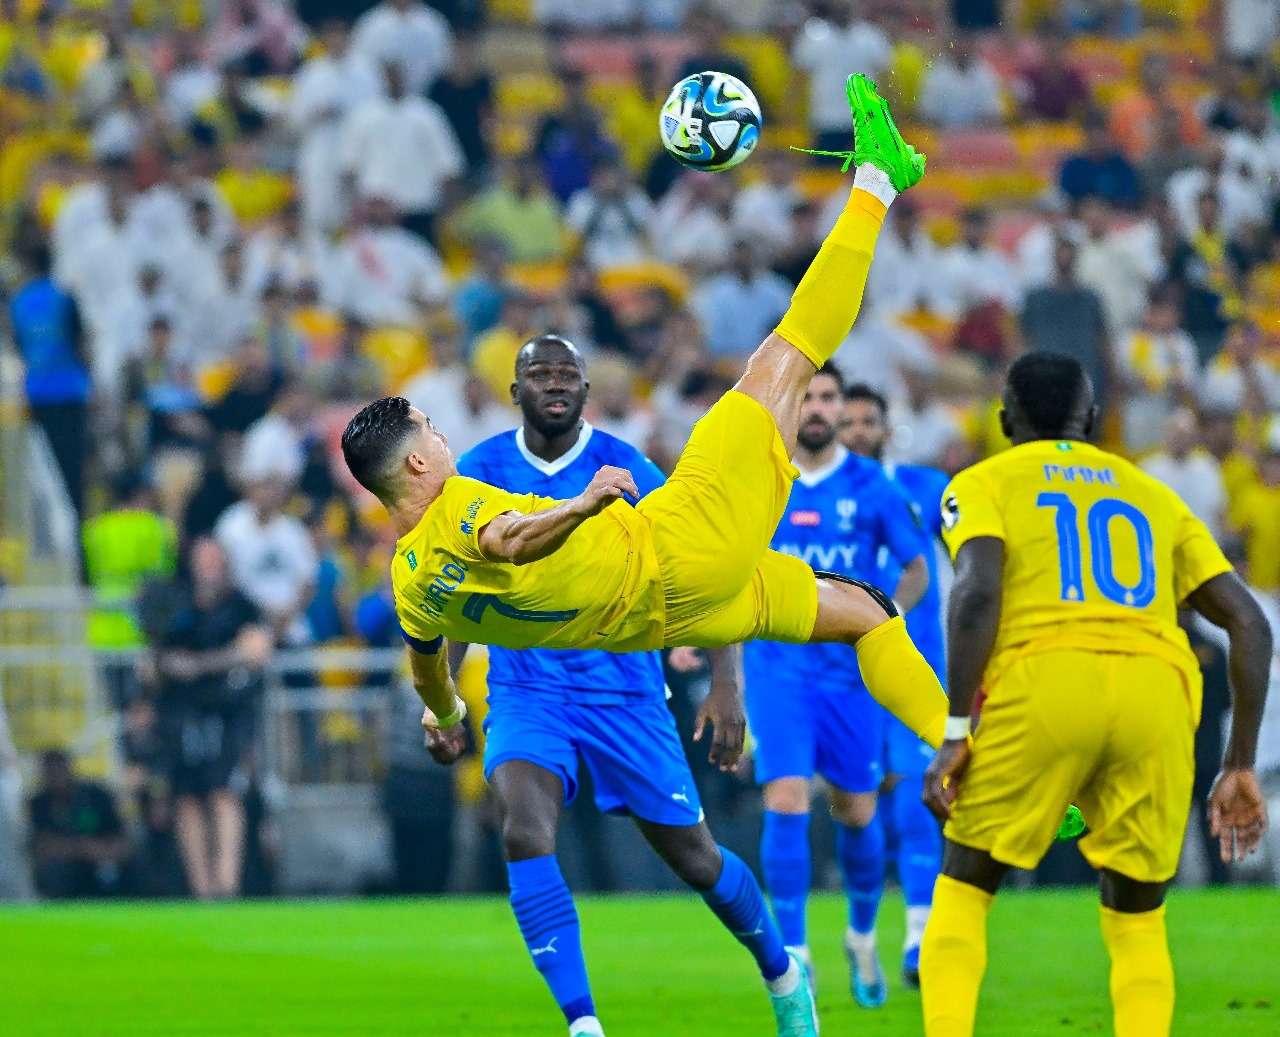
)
(900, 680)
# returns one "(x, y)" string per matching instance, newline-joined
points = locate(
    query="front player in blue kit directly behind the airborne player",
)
(552, 709)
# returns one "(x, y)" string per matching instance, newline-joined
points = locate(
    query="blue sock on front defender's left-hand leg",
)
(548, 921)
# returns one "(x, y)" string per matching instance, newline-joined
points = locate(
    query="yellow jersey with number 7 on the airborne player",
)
(601, 590)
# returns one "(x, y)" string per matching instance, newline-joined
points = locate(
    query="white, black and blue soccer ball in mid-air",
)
(711, 121)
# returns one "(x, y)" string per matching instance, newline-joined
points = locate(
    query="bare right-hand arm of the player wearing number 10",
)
(1237, 811)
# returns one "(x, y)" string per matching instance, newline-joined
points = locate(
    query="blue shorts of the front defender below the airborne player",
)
(633, 752)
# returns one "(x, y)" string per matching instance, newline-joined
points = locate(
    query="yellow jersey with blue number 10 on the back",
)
(1099, 555)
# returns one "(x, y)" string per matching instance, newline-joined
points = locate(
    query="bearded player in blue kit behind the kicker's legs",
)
(810, 711)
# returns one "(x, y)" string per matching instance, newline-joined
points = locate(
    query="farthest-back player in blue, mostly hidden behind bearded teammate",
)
(865, 431)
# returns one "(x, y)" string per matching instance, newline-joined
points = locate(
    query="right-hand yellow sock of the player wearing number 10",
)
(1142, 974)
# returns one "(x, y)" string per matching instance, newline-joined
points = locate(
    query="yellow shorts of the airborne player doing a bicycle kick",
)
(712, 524)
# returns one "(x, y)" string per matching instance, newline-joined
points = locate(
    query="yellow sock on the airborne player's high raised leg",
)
(826, 303)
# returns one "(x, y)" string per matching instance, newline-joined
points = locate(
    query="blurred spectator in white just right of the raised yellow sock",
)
(906, 276)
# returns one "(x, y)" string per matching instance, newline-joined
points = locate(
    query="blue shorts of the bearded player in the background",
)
(804, 727)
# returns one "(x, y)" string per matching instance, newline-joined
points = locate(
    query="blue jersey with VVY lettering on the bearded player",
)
(839, 520)
